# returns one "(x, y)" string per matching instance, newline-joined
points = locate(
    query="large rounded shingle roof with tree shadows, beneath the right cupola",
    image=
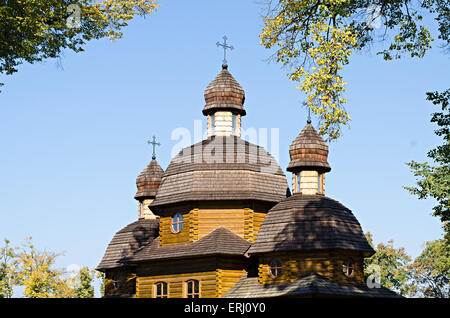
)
(310, 222)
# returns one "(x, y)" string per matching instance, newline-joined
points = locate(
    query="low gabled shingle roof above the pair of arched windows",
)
(221, 241)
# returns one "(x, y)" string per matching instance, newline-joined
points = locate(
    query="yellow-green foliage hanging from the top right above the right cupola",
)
(315, 39)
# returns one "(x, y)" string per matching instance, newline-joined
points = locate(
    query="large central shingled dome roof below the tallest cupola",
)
(222, 168)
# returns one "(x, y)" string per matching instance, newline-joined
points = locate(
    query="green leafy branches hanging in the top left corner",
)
(33, 30)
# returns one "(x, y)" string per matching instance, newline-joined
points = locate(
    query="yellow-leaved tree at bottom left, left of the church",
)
(37, 275)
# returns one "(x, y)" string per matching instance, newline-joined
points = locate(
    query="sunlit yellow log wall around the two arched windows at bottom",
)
(213, 284)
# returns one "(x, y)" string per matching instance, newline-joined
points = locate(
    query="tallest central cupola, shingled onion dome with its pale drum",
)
(224, 107)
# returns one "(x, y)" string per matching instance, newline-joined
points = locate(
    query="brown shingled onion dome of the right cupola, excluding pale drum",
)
(308, 151)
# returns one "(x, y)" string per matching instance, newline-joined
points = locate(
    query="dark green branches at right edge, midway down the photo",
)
(434, 180)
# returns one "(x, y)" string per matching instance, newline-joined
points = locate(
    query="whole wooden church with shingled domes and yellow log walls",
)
(221, 221)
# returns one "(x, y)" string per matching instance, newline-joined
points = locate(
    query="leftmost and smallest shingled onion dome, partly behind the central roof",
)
(149, 180)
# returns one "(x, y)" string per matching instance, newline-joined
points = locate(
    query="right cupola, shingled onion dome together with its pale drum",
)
(308, 153)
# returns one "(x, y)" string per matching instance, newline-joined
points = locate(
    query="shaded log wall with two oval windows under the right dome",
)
(327, 264)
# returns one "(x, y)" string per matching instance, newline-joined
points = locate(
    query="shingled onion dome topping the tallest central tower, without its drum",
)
(224, 93)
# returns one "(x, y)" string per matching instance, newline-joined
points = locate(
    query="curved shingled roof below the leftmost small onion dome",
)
(126, 241)
